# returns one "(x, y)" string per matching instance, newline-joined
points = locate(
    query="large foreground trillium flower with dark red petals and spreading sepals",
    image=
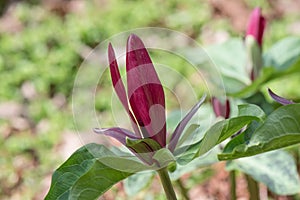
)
(144, 102)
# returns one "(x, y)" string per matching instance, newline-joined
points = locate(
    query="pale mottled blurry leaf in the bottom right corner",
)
(277, 170)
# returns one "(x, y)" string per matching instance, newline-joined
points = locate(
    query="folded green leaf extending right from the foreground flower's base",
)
(215, 135)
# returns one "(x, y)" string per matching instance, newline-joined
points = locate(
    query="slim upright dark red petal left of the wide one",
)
(119, 85)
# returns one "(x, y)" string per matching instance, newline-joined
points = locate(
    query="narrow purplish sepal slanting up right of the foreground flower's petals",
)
(180, 127)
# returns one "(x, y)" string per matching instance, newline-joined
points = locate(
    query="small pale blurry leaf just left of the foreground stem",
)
(137, 182)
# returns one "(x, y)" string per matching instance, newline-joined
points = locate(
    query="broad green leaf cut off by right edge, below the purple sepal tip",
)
(280, 129)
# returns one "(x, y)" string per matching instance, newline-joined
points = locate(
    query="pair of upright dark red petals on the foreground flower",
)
(145, 93)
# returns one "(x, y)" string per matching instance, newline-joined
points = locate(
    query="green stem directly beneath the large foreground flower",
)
(166, 182)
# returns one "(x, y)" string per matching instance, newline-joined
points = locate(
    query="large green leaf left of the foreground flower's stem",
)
(91, 171)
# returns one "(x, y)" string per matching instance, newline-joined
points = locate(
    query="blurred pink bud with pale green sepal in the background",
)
(253, 42)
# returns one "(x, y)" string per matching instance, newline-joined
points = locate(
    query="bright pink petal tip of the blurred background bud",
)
(256, 25)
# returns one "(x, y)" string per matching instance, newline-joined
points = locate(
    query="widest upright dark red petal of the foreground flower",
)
(145, 91)
